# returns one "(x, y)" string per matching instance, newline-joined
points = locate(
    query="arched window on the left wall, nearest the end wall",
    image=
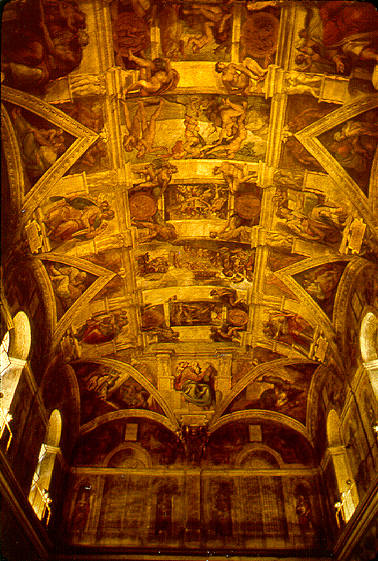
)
(39, 492)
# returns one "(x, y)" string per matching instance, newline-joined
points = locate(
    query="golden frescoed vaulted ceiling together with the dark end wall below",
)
(193, 186)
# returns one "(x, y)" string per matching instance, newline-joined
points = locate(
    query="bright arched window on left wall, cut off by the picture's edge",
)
(15, 348)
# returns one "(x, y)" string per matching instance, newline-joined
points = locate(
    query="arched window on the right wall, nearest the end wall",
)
(348, 495)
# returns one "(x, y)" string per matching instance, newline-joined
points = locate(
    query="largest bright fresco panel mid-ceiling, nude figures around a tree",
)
(201, 126)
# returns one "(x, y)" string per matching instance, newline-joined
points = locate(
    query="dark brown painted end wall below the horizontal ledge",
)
(246, 510)
